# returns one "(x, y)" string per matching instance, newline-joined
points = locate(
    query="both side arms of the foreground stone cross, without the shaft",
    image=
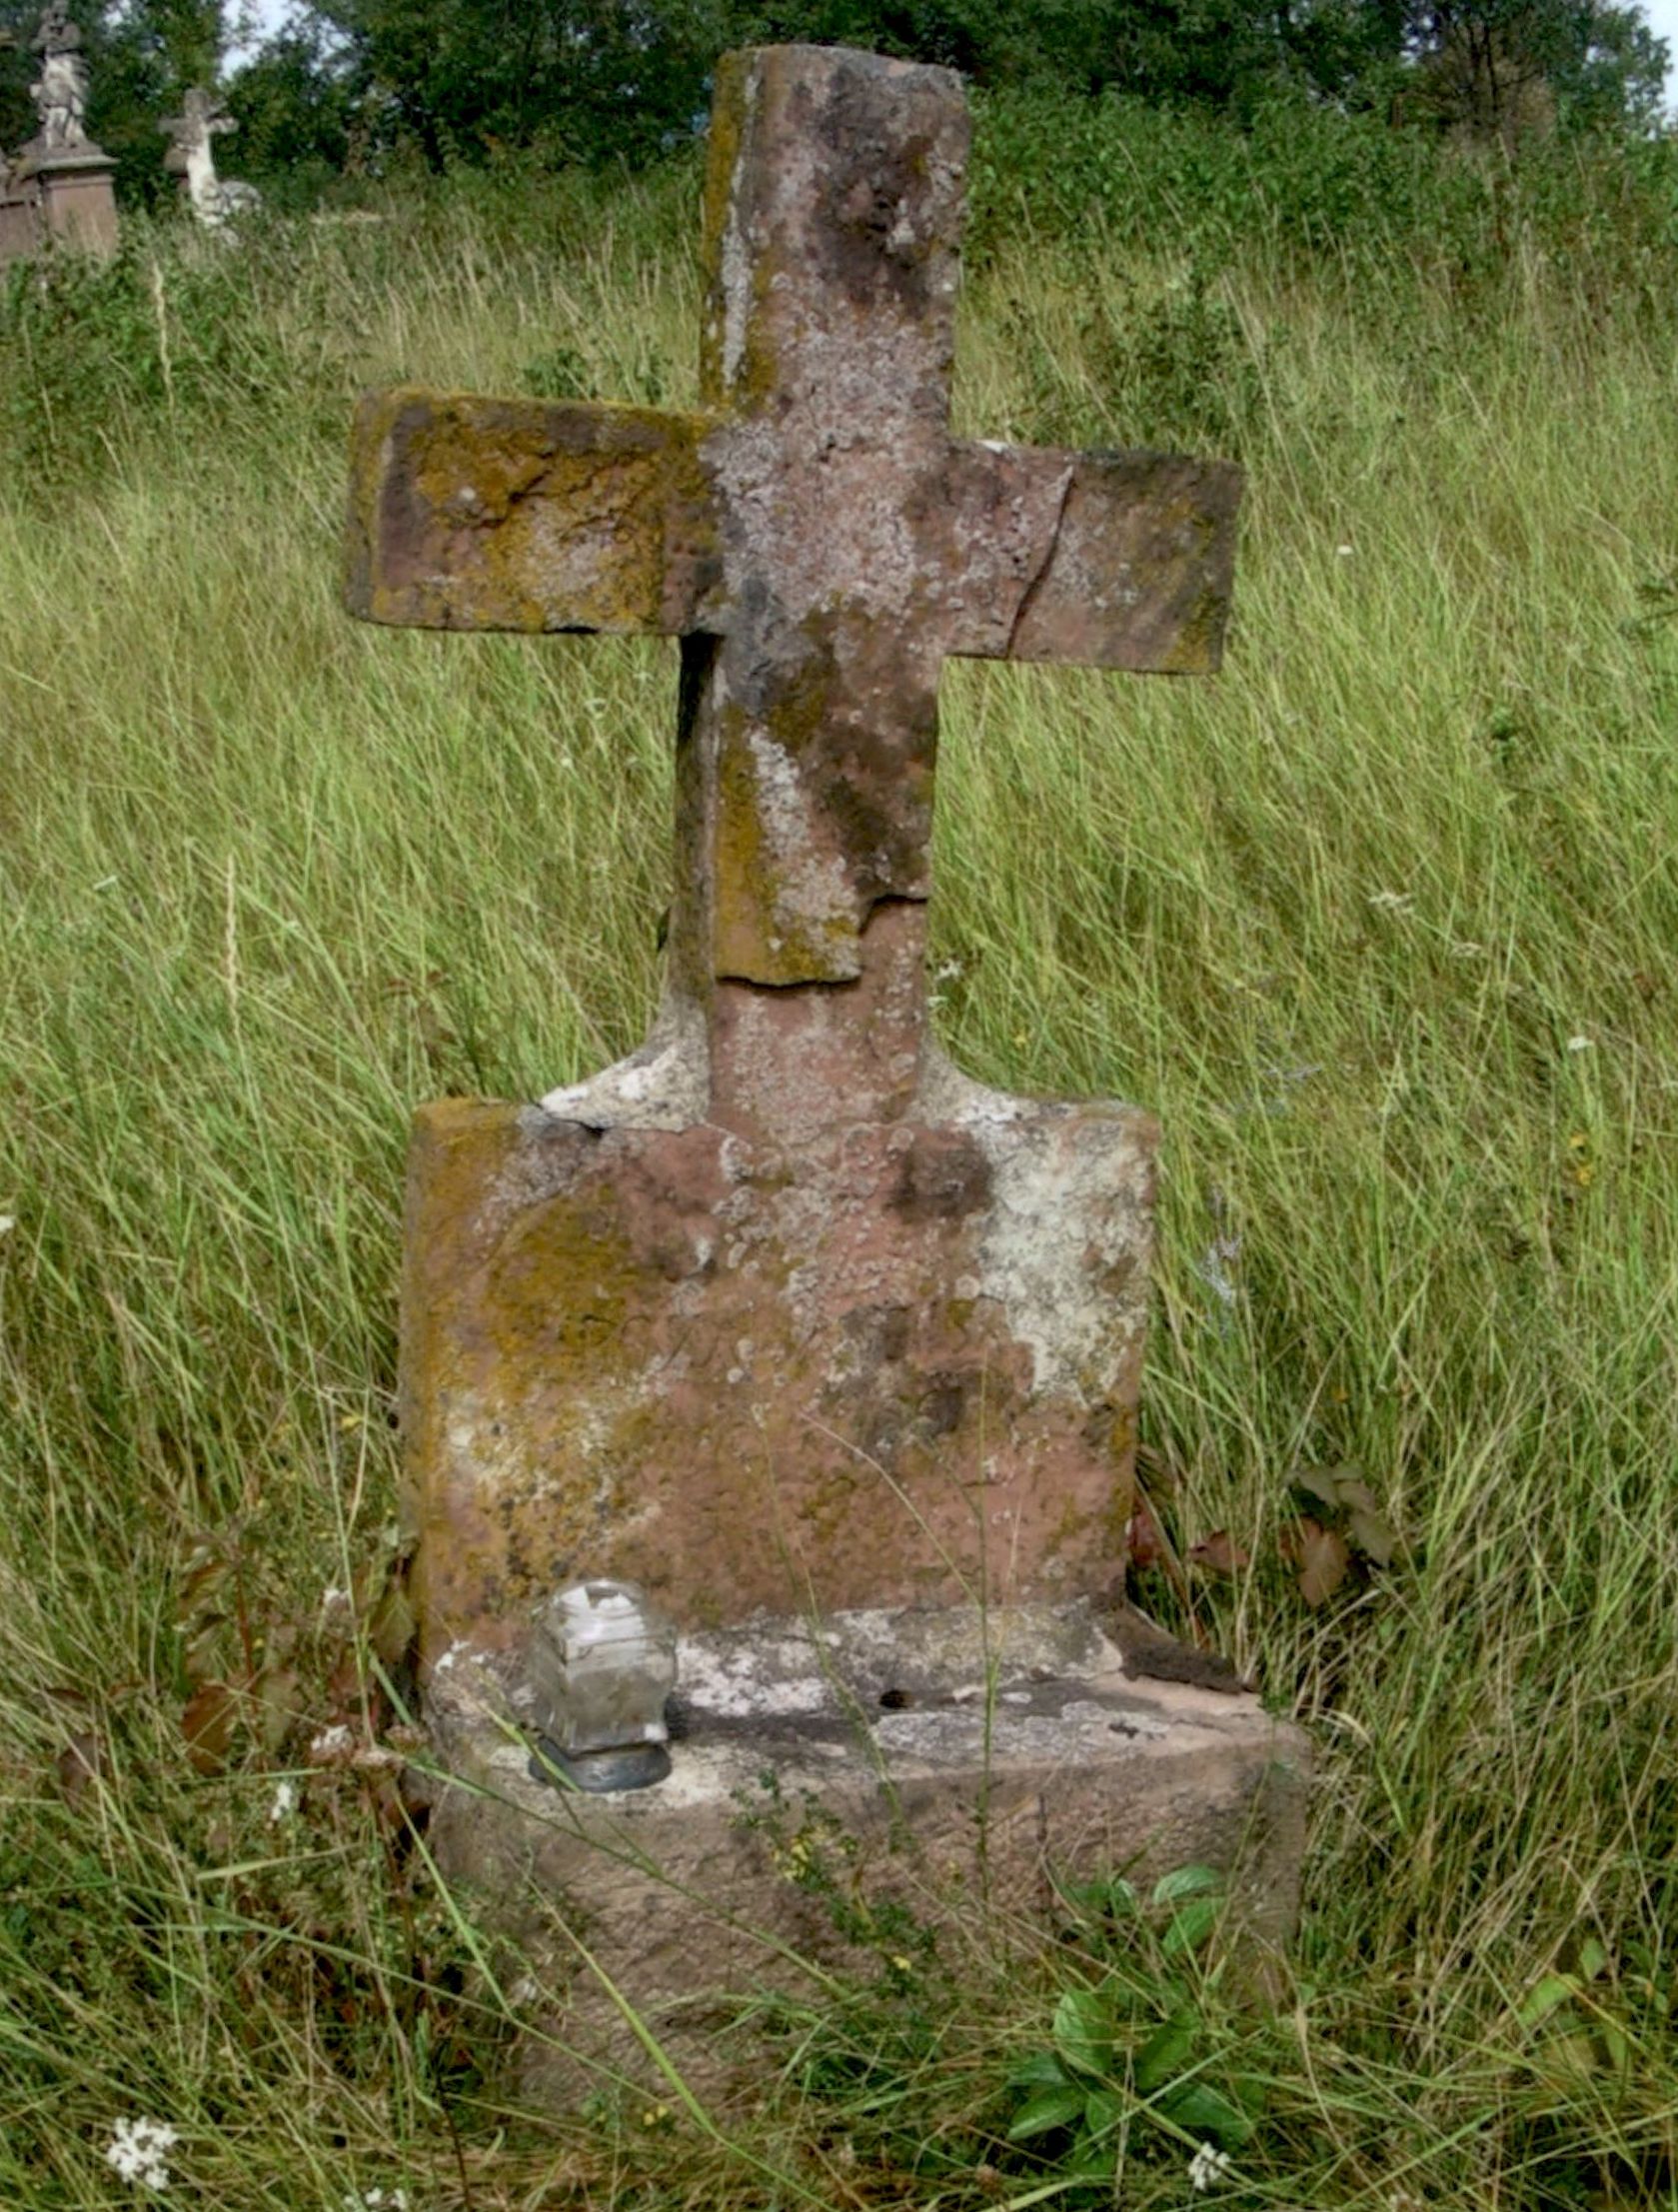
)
(476, 514)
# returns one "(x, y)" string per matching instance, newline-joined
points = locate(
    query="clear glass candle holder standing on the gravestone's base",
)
(602, 1665)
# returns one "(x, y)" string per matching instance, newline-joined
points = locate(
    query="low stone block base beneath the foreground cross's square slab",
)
(958, 1764)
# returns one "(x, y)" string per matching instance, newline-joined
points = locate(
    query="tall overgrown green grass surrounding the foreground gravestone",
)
(1381, 924)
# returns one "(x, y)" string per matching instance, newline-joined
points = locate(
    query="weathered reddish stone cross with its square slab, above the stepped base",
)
(784, 1311)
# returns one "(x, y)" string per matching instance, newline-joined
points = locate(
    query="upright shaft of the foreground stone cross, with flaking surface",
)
(810, 724)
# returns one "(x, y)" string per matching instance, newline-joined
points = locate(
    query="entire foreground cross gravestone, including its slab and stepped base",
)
(784, 1328)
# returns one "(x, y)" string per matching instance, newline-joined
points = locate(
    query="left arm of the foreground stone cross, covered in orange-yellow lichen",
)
(472, 514)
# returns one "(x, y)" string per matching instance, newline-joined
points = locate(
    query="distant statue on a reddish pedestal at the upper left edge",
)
(59, 187)
